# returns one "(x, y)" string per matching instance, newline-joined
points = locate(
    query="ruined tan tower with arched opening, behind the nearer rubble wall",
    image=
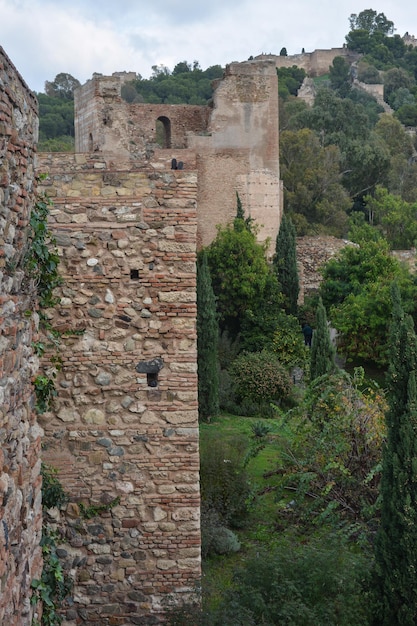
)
(233, 145)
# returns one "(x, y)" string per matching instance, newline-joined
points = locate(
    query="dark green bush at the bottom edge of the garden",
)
(318, 584)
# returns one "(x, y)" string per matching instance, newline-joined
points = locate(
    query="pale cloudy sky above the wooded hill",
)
(46, 37)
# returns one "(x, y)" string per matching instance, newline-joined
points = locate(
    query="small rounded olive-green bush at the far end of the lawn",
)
(260, 377)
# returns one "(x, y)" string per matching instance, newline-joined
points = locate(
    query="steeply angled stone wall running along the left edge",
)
(20, 481)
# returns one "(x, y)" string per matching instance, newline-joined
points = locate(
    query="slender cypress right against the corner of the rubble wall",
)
(207, 343)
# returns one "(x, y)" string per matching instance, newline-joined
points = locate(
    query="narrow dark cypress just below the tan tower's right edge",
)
(285, 263)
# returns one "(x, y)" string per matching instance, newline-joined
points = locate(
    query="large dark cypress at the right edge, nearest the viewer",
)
(396, 542)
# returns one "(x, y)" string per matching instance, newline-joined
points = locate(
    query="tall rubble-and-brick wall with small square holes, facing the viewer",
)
(124, 429)
